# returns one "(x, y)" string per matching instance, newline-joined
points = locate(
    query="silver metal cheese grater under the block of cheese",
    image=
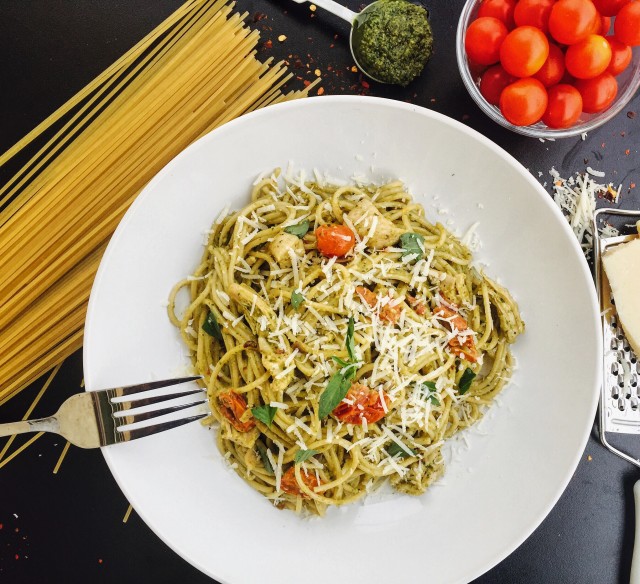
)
(619, 410)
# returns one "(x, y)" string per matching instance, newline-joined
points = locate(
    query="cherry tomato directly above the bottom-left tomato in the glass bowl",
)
(524, 51)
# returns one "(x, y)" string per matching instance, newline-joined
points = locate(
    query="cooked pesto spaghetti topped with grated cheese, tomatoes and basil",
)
(342, 338)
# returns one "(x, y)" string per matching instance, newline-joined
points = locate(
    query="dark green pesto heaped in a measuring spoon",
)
(392, 40)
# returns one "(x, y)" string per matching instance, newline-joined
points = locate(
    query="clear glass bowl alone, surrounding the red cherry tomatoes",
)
(628, 84)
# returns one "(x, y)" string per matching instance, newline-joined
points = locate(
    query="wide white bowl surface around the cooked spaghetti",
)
(495, 492)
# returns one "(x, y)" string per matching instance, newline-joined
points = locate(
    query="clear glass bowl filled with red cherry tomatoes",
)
(550, 68)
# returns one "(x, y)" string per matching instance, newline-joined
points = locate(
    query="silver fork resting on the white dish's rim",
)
(94, 418)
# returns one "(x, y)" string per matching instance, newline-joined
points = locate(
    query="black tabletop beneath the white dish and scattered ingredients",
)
(68, 527)
